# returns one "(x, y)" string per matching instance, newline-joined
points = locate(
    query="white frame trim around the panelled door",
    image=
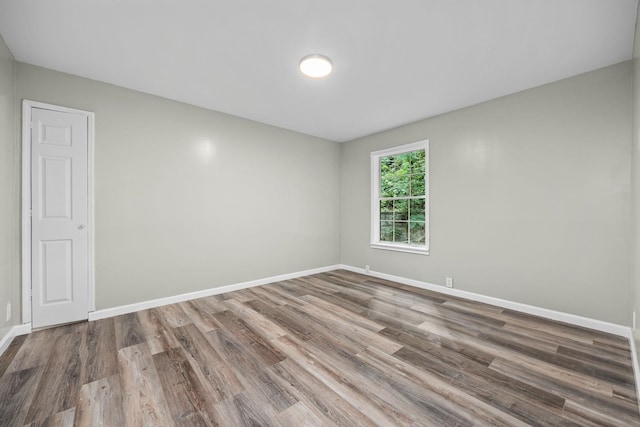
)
(27, 105)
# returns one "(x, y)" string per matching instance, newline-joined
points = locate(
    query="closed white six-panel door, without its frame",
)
(59, 217)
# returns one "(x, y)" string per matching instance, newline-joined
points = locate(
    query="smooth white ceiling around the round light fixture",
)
(394, 61)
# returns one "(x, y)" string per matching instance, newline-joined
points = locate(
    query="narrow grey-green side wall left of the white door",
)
(9, 193)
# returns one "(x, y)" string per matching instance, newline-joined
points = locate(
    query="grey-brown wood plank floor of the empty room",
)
(331, 349)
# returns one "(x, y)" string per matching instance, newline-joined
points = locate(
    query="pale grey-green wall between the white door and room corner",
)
(189, 199)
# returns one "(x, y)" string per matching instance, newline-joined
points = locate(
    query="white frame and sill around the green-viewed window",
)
(376, 243)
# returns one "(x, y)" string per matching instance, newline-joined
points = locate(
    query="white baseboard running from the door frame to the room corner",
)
(130, 308)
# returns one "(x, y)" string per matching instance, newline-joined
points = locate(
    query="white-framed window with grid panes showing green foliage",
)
(400, 198)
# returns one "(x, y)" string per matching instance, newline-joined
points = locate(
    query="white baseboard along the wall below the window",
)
(573, 319)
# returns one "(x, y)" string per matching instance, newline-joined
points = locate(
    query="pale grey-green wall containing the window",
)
(530, 197)
